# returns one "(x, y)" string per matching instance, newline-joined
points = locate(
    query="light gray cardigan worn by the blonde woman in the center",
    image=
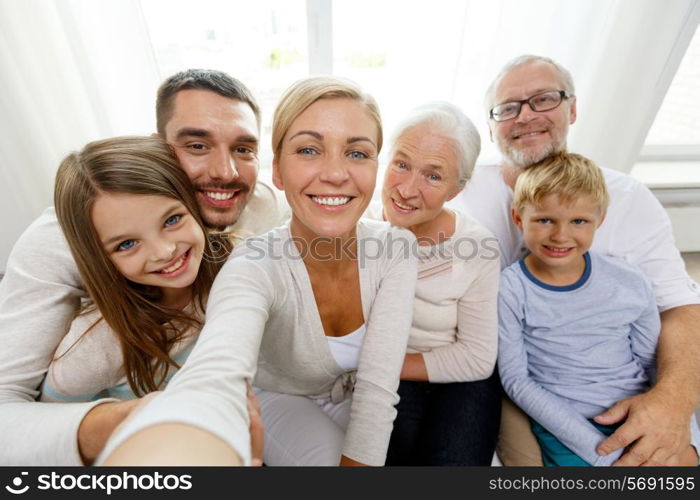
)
(262, 301)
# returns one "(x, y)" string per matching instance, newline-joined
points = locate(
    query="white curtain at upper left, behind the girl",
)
(70, 72)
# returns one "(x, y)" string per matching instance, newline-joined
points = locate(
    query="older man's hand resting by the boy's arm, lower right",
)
(657, 424)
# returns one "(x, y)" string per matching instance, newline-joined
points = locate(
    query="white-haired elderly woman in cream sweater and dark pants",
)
(450, 406)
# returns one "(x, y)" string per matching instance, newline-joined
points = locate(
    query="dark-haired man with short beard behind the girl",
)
(213, 123)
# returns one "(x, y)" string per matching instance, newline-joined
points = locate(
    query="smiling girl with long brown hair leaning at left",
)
(131, 220)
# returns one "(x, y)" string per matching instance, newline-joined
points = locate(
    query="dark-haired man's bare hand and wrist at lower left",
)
(98, 424)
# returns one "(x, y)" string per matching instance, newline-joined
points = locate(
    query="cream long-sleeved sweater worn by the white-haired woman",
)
(455, 322)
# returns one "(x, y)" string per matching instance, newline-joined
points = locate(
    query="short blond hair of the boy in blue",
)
(568, 175)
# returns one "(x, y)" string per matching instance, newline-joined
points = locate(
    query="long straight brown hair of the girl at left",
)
(146, 330)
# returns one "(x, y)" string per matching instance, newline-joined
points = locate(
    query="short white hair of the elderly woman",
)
(449, 121)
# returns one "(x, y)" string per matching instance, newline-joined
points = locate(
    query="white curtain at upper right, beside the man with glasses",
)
(632, 63)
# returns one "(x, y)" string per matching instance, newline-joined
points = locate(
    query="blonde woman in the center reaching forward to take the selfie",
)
(314, 298)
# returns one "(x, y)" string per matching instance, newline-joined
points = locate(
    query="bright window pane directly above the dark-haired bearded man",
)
(262, 43)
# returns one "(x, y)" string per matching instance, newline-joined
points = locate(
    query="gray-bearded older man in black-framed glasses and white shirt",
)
(531, 104)
